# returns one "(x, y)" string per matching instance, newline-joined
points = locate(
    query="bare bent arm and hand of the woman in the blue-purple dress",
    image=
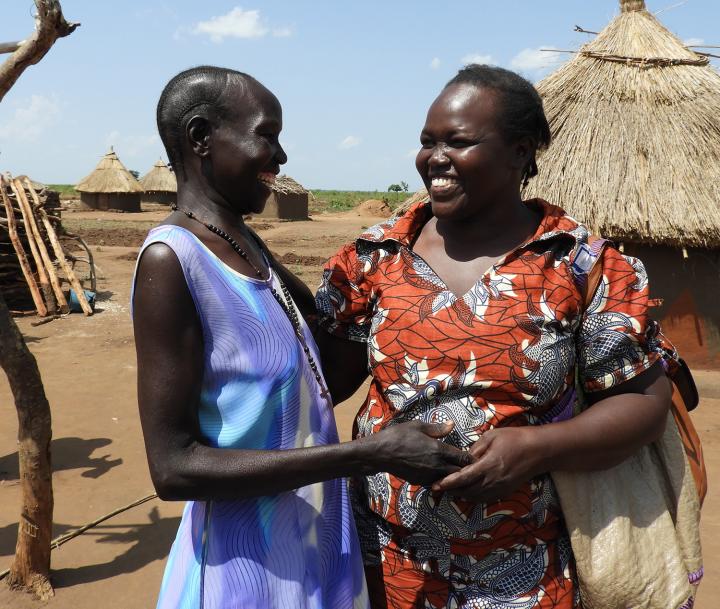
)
(169, 346)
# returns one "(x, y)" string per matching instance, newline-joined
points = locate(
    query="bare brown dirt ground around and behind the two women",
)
(88, 367)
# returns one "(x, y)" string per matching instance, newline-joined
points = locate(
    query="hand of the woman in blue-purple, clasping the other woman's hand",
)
(413, 451)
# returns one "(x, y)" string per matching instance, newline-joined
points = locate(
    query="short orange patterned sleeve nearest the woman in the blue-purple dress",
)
(343, 300)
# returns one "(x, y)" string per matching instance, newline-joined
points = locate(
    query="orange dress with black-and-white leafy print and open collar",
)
(503, 354)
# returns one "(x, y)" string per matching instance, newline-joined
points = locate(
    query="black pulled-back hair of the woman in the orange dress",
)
(521, 107)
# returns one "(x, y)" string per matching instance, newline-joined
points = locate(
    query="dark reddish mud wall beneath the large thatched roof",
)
(690, 290)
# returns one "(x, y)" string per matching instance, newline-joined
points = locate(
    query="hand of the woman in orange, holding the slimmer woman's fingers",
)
(505, 458)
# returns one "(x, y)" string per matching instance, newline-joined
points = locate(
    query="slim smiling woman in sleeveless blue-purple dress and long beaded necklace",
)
(234, 409)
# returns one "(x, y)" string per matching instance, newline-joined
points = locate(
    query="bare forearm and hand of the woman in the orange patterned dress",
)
(619, 422)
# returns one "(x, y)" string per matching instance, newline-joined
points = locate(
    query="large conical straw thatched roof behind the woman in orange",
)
(635, 117)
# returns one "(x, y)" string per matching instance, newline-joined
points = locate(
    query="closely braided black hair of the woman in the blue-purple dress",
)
(193, 92)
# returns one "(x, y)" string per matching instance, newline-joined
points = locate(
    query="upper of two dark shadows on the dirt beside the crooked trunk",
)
(67, 453)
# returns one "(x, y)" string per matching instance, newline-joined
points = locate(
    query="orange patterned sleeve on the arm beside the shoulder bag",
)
(615, 335)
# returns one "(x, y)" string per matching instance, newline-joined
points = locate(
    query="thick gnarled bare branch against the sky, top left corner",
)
(50, 25)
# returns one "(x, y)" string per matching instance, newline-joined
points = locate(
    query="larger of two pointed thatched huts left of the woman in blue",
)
(110, 186)
